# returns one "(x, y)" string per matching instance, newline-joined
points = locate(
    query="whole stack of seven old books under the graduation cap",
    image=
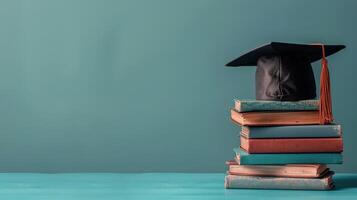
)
(282, 146)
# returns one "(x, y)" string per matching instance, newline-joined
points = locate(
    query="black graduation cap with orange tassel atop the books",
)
(284, 73)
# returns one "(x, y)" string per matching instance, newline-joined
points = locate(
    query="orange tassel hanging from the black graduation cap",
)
(325, 109)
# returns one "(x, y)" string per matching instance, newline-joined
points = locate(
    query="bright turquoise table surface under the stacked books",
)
(151, 186)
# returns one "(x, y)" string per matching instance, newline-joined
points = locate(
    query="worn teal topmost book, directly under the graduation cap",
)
(259, 105)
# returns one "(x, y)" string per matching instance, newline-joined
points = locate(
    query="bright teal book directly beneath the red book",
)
(244, 158)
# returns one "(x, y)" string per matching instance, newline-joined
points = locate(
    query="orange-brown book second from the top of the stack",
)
(275, 118)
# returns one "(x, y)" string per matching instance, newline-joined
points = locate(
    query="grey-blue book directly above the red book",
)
(307, 131)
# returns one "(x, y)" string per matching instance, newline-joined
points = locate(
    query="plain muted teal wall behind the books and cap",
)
(130, 86)
